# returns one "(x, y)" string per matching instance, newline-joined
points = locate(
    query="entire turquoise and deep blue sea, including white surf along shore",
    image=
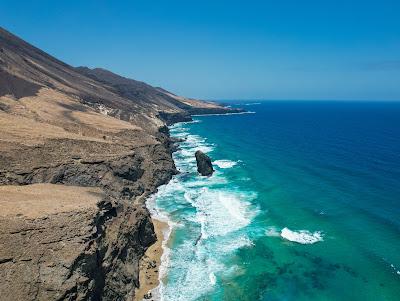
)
(304, 205)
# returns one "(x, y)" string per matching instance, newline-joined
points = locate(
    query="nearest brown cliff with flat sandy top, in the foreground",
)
(66, 254)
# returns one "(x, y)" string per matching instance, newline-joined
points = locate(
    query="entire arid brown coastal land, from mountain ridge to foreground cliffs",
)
(80, 150)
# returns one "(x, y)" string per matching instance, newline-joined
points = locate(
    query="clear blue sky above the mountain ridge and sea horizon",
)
(271, 49)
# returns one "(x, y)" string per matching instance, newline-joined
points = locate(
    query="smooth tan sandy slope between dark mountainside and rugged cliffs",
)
(51, 114)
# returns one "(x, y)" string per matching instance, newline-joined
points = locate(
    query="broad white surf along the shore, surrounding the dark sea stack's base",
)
(214, 218)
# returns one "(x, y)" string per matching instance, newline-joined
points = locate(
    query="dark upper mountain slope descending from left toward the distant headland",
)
(26, 69)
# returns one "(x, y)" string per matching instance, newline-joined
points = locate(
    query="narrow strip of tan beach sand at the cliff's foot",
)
(150, 264)
